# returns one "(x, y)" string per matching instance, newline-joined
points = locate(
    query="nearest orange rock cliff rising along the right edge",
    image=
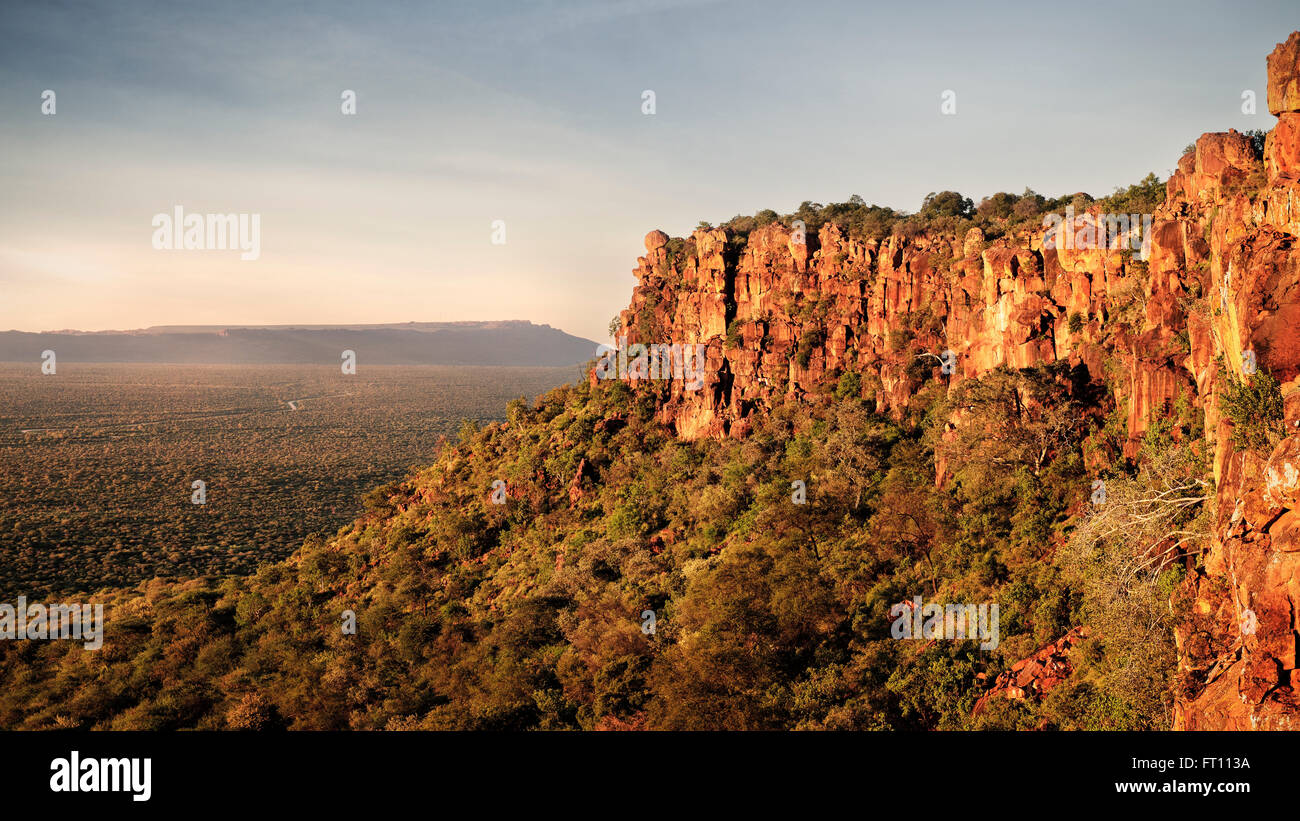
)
(1238, 653)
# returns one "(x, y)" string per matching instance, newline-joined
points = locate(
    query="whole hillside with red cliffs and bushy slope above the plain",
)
(1098, 440)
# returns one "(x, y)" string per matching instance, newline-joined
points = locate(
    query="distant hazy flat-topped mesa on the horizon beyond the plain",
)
(504, 342)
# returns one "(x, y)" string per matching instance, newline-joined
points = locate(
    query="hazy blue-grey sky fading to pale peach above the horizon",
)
(532, 114)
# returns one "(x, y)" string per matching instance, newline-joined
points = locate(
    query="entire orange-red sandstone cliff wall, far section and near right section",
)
(782, 314)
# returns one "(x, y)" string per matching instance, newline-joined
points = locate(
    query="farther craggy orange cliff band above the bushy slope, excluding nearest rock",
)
(783, 315)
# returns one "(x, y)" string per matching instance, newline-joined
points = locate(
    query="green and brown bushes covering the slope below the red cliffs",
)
(528, 615)
